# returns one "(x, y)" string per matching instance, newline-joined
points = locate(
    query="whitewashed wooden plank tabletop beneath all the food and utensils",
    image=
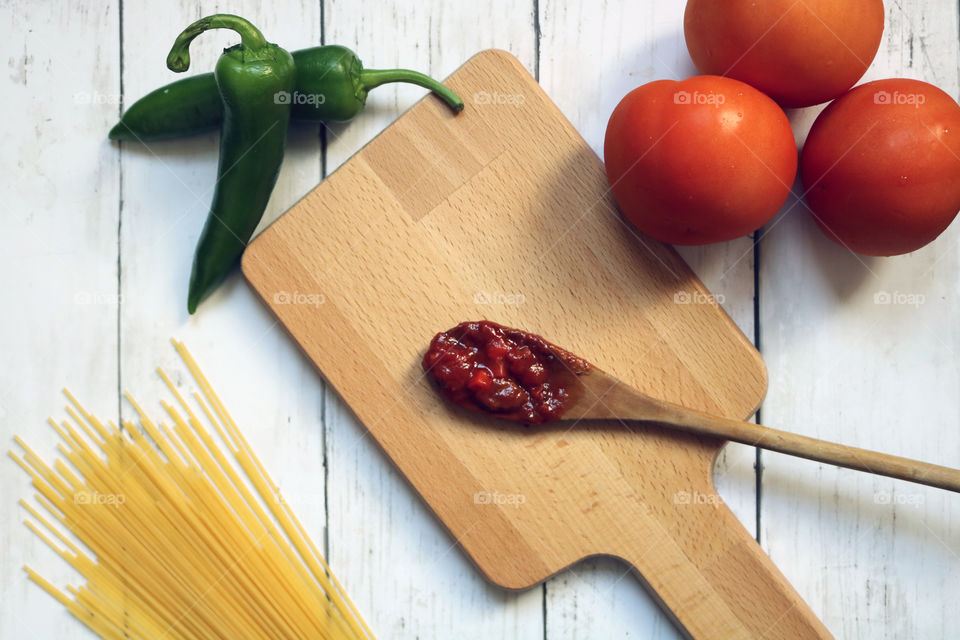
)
(98, 240)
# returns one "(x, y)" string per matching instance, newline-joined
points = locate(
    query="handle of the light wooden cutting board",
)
(719, 585)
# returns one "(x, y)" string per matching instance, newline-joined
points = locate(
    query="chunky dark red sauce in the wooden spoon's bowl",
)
(507, 373)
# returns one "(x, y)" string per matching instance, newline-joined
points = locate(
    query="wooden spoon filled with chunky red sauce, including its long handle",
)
(509, 373)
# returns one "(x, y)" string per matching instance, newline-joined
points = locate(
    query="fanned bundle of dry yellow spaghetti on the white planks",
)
(178, 545)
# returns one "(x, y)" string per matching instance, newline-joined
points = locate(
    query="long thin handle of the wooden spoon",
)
(810, 448)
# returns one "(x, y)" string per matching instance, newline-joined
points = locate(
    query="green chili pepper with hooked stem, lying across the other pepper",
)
(250, 78)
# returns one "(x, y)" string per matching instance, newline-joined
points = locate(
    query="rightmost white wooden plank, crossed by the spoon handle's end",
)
(876, 558)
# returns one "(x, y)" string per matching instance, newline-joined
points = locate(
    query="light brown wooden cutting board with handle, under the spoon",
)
(503, 213)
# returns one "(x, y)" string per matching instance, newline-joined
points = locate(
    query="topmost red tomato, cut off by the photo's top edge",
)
(798, 53)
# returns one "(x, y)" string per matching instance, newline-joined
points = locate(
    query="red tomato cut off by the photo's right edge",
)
(881, 166)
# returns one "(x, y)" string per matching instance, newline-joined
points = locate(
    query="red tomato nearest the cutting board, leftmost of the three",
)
(701, 160)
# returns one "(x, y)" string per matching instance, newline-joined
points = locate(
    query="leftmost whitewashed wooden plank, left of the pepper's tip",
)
(58, 264)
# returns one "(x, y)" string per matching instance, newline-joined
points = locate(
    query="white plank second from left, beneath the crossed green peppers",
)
(271, 390)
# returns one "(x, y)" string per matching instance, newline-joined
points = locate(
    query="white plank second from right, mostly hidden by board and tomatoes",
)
(631, 43)
